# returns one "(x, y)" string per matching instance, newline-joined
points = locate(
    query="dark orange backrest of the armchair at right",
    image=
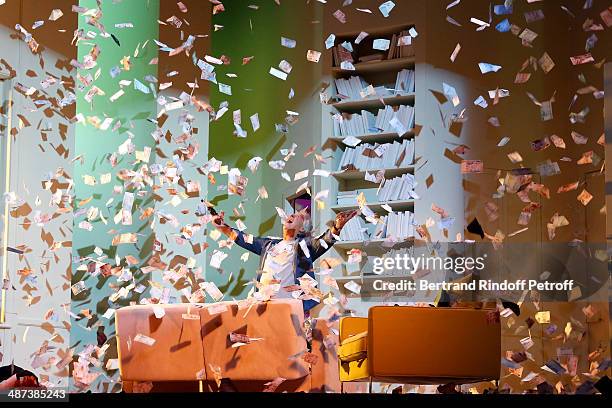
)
(431, 344)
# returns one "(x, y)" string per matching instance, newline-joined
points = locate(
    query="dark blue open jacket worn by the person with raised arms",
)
(303, 264)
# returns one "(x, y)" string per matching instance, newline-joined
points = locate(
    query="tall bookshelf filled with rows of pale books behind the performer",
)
(358, 106)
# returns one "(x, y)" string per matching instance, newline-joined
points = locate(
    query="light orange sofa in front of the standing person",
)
(191, 348)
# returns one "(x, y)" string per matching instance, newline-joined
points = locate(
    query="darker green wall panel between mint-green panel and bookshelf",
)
(247, 32)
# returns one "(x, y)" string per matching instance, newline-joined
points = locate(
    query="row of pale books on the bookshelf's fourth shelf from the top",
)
(376, 156)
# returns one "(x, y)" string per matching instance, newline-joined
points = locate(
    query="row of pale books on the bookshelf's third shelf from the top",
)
(366, 123)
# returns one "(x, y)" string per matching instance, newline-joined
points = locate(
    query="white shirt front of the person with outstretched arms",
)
(279, 265)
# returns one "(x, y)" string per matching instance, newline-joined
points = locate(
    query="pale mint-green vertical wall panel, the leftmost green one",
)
(95, 146)
